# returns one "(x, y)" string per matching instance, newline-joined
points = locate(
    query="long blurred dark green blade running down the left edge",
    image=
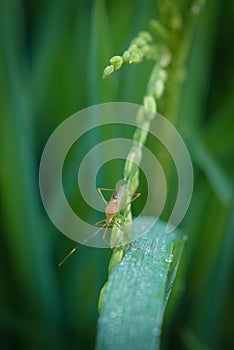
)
(29, 246)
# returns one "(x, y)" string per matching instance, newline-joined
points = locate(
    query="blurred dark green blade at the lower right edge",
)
(211, 279)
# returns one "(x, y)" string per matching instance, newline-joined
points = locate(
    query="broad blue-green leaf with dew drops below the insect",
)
(138, 290)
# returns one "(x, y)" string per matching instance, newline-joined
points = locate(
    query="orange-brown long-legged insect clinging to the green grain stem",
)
(118, 216)
